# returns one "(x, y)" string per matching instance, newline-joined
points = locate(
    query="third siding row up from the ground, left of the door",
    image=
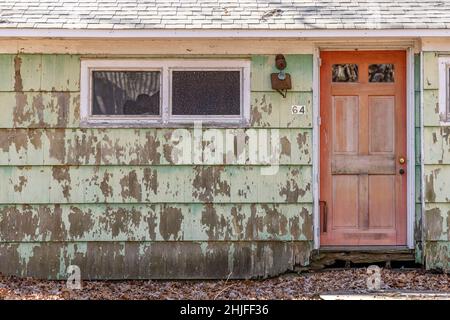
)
(136, 184)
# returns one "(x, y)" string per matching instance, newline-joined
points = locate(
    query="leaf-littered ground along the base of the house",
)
(290, 286)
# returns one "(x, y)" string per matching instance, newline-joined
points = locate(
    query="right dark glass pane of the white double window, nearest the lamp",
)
(206, 92)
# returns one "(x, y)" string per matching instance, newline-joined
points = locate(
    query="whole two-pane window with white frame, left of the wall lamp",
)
(164, 92)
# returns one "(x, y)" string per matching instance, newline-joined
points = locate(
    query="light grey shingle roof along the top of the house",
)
(225, 14)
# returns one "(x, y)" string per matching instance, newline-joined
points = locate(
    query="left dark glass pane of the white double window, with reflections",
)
(125, 93)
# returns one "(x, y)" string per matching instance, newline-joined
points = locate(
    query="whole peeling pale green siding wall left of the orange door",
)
(113, 201)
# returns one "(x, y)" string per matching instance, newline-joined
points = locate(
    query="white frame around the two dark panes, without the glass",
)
(165, 67)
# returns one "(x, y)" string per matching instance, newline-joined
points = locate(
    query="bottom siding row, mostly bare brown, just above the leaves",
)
(156, 260)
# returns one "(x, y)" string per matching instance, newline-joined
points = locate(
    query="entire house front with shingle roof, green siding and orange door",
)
(199, 140)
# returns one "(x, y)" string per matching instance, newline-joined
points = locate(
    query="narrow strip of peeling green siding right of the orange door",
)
(436, 172)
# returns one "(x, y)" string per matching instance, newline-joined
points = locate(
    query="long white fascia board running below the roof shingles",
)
(219, 33)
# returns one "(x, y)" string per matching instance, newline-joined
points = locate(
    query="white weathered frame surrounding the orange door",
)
(410, 137)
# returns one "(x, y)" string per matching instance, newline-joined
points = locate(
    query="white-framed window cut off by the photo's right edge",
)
(444, 90)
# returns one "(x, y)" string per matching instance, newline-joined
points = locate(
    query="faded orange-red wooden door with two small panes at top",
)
(363, 148)
